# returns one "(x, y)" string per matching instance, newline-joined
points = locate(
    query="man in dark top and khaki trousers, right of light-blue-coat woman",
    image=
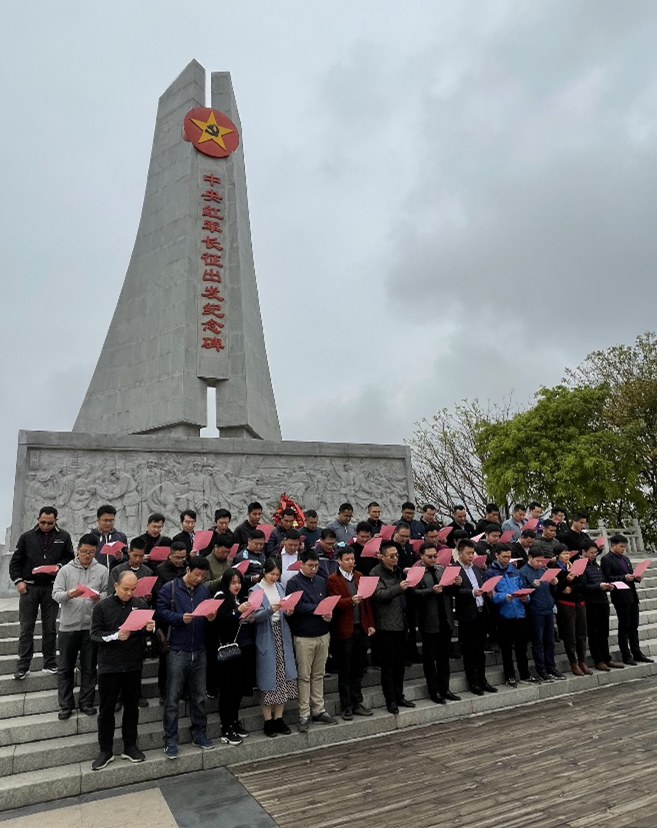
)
(311, 641)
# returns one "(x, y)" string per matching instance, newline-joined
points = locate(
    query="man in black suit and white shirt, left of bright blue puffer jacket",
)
(473, 616)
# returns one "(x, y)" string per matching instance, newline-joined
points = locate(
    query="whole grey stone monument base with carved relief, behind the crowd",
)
(138, 475)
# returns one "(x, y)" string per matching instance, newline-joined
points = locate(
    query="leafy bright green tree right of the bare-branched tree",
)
(560, 451)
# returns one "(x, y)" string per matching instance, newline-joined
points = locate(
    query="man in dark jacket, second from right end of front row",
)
(596, 602)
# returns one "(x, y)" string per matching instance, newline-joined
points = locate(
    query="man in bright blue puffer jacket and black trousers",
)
(511, 621)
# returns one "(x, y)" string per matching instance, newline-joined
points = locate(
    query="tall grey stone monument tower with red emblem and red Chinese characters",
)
(188, 315)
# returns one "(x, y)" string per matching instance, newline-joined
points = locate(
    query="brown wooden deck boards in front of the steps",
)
(595, 754)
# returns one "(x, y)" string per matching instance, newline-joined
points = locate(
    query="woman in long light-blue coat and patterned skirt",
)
(276, 671)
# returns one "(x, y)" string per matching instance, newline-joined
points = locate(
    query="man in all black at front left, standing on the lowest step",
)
(120, 662)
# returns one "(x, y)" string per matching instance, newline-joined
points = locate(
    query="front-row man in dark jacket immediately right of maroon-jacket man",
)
(391, 627)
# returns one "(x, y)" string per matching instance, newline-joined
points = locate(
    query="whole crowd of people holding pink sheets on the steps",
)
(271, 608)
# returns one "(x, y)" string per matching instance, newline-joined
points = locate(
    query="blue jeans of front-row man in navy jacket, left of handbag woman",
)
(185, 669)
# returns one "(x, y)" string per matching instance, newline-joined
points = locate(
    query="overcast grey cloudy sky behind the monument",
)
(448, 199)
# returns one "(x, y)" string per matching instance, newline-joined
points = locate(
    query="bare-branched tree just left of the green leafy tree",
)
(446, 463)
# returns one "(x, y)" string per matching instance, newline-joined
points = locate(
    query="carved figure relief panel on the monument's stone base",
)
(138, 483)
